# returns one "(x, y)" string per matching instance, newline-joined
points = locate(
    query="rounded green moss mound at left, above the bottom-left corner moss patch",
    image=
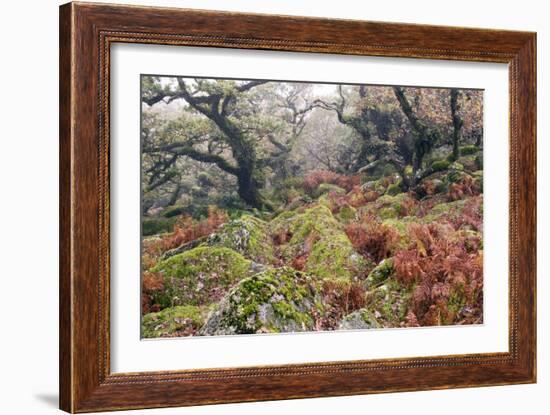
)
(200, 276)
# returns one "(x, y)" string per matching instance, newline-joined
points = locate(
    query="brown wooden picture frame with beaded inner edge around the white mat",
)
(86, 33)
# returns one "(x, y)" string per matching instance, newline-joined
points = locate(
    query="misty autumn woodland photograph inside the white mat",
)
(281, 206)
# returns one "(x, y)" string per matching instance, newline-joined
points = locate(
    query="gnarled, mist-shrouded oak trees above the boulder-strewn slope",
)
(240, 140)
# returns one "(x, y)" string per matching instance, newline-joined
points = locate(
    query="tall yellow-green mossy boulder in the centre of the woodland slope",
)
(316, 235)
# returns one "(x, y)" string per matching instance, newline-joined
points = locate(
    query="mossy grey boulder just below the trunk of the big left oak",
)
(248, 235)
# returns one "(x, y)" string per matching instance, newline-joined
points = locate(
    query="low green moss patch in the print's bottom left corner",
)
(170, 321)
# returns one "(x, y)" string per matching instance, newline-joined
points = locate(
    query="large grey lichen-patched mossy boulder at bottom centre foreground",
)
(277, 300)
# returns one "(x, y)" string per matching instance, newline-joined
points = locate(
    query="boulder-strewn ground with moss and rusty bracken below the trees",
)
(359, 255)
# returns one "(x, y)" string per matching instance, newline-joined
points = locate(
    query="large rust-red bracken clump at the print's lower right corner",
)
(446, 277)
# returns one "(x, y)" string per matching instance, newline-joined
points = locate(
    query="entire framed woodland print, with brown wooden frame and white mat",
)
(260, 207)
